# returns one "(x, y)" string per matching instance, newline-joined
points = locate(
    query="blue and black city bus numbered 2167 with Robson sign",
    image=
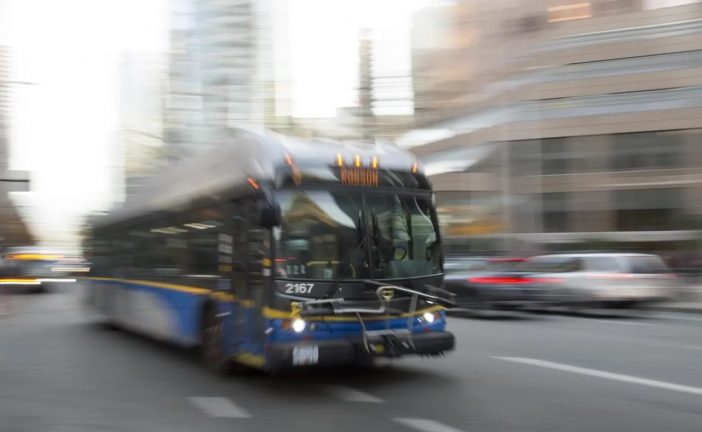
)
(277, 253)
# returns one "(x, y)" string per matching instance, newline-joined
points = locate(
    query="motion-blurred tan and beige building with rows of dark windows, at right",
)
(549, 123)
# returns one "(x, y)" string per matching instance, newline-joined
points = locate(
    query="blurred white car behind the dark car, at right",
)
(603, 279)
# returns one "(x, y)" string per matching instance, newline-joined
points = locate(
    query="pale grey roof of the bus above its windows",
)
(239, 155)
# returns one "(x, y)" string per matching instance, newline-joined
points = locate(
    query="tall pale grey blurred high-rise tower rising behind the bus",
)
(220, 70)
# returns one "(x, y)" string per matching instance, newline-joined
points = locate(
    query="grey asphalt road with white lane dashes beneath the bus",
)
(60, 370)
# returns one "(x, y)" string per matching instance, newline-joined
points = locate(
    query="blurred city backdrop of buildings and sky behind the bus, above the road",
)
(545, 125)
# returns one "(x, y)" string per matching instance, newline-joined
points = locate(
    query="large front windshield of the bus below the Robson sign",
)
(354, 234)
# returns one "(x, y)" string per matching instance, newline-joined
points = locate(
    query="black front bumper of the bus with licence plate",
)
(348, 351)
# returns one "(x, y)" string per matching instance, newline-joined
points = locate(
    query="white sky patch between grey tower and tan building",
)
(324, 64)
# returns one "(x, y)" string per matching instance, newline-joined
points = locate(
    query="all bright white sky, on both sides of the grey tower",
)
(64, 121)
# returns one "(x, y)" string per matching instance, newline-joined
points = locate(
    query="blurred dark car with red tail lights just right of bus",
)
(491, 283)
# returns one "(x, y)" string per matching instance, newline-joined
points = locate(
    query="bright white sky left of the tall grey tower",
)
(63, 122)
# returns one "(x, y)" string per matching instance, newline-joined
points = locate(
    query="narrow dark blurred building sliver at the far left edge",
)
(13, 230)
